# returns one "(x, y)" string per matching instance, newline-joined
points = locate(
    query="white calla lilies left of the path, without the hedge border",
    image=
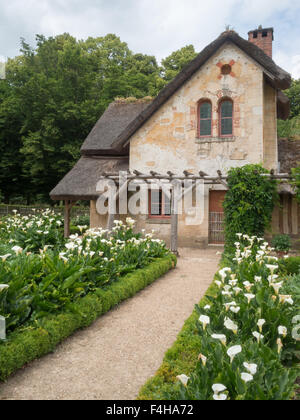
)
(41, 274)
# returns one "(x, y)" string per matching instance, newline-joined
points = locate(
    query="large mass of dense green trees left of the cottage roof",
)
(52, 96)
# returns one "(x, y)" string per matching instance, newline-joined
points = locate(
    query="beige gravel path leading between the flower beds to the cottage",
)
(114, 357)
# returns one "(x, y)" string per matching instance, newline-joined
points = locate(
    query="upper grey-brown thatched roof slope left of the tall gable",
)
(112, 123)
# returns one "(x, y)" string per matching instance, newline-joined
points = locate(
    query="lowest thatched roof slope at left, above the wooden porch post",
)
(80, 183)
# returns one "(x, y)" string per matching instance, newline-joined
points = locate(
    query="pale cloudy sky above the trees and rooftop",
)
(154, 27)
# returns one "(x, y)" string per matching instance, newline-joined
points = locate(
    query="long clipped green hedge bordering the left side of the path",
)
(27, 345)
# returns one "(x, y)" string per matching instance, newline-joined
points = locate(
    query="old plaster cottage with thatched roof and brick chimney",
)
(220, 112)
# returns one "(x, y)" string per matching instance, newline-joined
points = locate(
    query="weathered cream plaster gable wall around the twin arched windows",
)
(169, 139)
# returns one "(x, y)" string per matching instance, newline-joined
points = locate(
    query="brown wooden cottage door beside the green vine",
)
(216, 217)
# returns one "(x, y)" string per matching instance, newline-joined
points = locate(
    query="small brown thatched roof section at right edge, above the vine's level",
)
(288, 154)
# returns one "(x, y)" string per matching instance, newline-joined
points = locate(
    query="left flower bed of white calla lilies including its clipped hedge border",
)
(50, 287)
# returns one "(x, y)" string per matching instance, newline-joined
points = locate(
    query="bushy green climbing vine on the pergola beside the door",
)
(249, 203)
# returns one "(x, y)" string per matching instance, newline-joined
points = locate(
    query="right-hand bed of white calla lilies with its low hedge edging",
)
(240, 343)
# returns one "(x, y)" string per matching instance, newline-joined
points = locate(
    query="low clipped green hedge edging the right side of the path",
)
(181, 357)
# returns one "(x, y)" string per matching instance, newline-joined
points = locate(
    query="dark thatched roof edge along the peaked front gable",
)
(278, 78)
